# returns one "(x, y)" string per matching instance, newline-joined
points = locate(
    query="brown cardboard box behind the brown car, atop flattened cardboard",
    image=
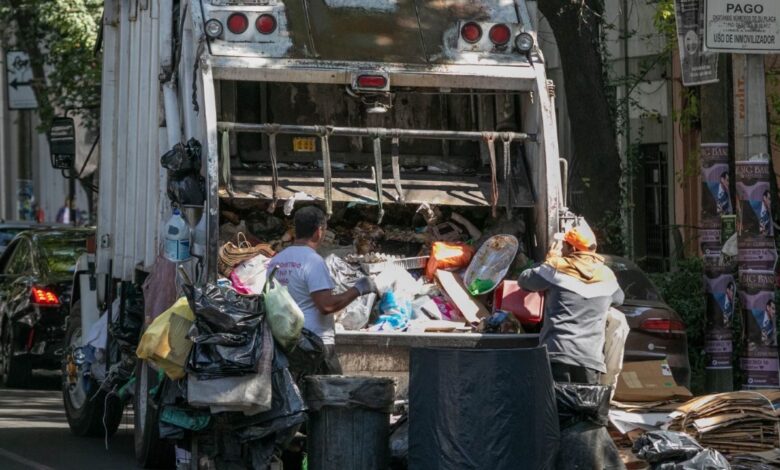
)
(648, 381)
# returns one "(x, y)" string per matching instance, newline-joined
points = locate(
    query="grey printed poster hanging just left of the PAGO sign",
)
(698, 65)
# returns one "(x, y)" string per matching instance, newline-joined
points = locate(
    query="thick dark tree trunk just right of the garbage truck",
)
(595, 167)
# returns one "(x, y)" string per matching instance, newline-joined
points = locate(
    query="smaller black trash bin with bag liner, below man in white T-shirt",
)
(349, 422)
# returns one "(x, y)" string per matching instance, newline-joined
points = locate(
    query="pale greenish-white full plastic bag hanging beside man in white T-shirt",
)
(284, 316)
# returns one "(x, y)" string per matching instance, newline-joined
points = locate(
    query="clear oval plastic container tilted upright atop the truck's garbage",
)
(490, 265)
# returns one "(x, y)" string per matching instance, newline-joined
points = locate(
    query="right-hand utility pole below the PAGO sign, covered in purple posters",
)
(757, 252)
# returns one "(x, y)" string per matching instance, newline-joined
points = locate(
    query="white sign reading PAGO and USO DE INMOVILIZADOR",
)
(742, 26)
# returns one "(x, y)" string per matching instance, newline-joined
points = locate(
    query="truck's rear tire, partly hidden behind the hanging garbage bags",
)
(150, 450)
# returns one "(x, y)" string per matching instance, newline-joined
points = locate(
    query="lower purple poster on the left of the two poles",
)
(721, 290)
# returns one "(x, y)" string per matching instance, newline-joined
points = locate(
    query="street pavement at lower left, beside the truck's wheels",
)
(34, 433)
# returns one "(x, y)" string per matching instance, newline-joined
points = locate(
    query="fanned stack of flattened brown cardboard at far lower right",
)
(735, 422)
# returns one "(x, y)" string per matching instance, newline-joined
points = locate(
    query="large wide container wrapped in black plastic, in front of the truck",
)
(478, 409)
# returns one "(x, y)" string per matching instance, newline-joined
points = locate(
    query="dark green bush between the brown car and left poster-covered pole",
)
(683, 290)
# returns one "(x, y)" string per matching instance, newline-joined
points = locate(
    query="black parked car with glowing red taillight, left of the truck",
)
(36, 273)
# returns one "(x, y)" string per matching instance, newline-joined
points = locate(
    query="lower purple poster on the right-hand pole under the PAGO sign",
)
(757, 298)
